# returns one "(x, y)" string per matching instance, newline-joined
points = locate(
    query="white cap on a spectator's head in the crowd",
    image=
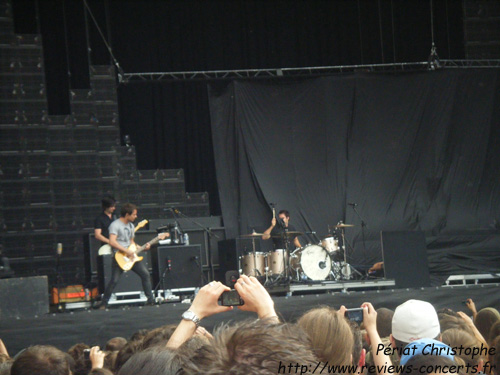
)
(414, 320)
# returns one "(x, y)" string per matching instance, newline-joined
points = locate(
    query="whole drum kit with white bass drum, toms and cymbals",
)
(314, 262)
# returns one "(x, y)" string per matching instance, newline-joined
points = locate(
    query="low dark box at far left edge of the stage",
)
(24, 297)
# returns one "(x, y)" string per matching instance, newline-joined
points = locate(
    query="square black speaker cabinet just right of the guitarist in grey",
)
(176, 267)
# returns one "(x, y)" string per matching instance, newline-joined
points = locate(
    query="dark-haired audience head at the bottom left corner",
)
(41, 360)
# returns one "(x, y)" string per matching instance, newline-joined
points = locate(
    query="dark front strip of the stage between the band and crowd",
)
(95, 327)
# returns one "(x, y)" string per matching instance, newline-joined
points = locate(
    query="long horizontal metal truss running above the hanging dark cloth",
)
(303, 72)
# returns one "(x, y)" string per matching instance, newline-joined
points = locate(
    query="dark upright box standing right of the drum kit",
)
(405, 258)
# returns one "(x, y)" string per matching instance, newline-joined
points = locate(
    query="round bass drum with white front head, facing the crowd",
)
(313, 261)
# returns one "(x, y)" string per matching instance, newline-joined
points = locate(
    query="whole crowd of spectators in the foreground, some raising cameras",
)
(412, 339)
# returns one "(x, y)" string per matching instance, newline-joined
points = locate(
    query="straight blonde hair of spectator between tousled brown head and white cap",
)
(330, 334)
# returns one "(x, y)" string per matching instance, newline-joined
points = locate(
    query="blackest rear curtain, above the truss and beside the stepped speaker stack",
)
(169, 122)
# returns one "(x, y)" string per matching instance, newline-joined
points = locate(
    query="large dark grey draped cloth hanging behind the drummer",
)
(414, 151)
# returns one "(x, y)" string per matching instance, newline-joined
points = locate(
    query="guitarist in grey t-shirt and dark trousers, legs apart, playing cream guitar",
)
(121, 236)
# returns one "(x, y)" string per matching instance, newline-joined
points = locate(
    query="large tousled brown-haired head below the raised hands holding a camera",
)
(251, 347)
